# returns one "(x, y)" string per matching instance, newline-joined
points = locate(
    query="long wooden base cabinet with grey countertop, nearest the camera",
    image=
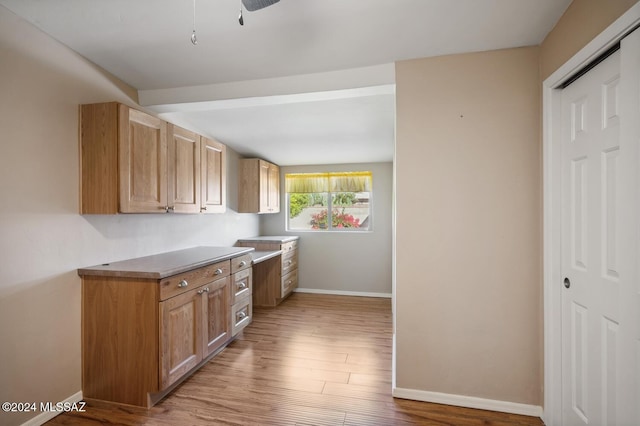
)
(141, 334)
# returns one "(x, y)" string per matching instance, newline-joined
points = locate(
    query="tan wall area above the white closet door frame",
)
(581, 23)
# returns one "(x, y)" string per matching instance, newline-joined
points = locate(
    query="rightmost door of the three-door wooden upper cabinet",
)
(214, 184)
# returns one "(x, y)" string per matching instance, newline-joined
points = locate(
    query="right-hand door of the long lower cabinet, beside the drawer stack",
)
(216, 315)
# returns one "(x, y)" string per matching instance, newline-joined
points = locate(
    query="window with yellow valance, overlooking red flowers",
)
(329, 201)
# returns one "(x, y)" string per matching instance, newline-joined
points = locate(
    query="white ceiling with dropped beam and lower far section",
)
(303, 81)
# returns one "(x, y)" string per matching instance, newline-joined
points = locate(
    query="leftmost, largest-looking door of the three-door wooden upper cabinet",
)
(143, 162)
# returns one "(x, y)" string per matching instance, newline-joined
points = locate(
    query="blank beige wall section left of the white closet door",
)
(468, 226)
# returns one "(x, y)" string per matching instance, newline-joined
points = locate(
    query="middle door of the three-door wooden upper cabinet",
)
(183, 158)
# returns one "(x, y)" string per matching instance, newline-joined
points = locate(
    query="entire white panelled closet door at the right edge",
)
(600, 238)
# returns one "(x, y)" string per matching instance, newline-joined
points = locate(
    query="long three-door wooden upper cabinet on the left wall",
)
(132, 162)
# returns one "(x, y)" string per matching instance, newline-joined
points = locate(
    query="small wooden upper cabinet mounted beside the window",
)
(259, 186)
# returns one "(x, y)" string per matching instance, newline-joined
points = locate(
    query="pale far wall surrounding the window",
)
(358, 263)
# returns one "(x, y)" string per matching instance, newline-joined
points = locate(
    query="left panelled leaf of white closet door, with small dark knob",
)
(590, 235)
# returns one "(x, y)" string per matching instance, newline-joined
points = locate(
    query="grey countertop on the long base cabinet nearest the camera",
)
(163, 265)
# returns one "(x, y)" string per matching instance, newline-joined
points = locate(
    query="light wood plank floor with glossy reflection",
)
(313, 360)
